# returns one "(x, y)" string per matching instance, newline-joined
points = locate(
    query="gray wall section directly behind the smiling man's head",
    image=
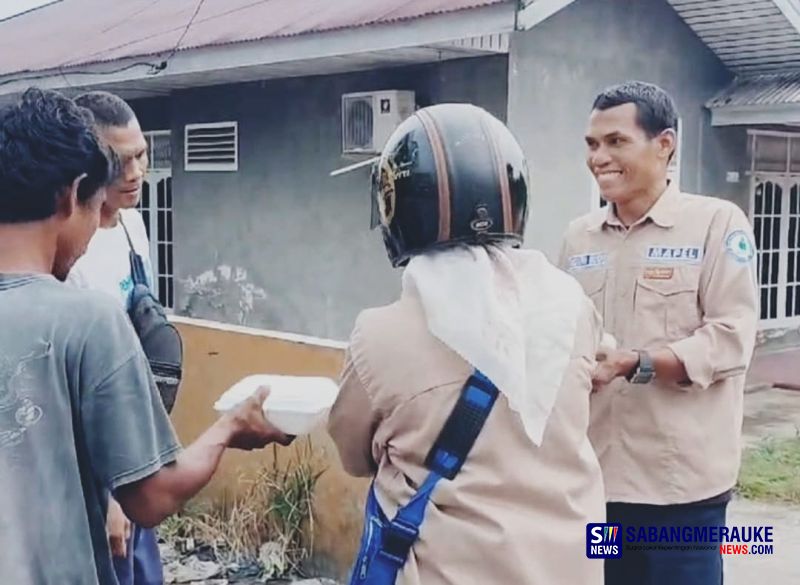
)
(557, 68)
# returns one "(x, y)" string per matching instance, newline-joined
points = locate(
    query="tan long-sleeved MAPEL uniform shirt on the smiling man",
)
(682, 277)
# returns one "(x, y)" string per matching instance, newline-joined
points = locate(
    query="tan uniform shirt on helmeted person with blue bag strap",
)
(515, 514)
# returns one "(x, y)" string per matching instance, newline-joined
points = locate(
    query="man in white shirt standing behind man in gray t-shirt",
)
(106, 267)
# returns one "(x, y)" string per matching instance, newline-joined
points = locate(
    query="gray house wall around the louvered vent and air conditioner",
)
(280, 244)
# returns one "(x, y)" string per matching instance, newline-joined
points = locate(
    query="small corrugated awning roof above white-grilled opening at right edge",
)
(759, 90)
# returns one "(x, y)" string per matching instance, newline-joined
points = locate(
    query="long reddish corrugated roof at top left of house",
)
(70, 33)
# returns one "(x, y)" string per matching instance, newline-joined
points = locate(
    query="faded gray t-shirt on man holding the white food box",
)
(79, 415)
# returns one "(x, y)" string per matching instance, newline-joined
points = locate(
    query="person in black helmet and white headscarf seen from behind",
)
(467, 400)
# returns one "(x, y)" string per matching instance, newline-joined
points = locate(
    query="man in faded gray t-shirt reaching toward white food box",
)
(80, 416)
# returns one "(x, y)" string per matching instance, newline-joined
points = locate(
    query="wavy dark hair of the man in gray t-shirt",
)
(46, 142)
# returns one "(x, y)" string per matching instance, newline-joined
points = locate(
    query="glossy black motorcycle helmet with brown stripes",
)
(449, 173)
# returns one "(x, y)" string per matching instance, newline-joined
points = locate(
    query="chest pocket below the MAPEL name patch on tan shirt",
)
(667, 310)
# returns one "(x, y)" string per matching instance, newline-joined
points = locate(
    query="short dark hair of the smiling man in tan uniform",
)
(655, 109)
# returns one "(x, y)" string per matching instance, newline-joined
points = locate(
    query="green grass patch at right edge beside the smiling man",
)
(771, 471)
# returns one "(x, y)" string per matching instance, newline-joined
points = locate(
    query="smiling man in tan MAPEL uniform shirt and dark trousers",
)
(672, 274)
